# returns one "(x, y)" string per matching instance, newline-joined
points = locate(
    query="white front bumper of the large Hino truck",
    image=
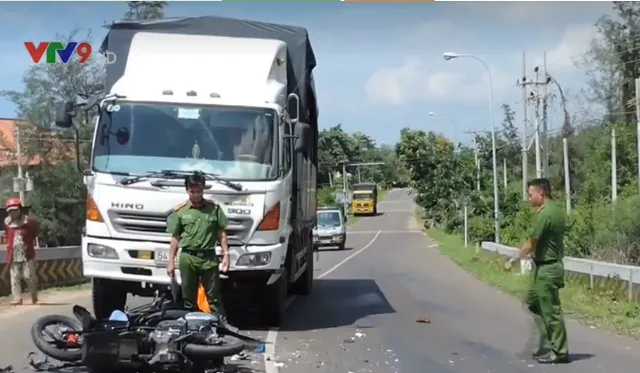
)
(129, 266)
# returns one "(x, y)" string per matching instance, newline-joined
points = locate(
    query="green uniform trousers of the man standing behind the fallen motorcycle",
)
(196, 267)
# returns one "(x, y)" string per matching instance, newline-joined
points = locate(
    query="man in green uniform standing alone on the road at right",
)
(545, 245)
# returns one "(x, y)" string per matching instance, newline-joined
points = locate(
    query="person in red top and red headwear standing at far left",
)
(21, 231)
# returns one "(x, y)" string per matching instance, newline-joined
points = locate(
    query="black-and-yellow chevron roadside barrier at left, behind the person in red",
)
(55, 266)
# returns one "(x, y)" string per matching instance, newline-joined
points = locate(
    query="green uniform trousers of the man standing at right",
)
(543, 300)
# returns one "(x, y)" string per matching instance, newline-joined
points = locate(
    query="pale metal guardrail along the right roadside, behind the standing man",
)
(592, 268)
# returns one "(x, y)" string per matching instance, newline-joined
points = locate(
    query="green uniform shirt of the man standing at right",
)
(548, 230)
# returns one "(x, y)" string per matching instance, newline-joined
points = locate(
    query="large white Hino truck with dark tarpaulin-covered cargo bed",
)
(233, 99)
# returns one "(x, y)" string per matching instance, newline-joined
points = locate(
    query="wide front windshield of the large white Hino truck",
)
(235, 143)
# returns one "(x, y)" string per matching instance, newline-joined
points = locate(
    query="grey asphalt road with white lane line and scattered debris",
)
(362, 315)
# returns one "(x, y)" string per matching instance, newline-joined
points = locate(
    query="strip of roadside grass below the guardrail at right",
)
(603, 308)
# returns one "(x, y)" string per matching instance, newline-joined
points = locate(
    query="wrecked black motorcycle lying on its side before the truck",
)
(156, 337)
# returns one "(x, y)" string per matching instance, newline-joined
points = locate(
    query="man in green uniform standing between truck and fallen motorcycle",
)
(197, 226)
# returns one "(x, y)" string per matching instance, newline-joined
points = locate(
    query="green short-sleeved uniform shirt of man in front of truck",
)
(197, 227)
